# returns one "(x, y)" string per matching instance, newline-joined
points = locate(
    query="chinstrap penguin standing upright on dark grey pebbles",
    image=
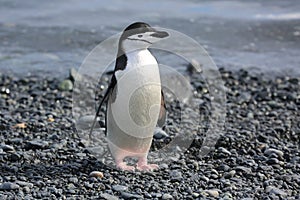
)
(134, 98)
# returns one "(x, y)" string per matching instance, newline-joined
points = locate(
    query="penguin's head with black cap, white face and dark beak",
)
(140, 35)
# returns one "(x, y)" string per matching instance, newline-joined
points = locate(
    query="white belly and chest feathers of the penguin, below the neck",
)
(134, 106)
